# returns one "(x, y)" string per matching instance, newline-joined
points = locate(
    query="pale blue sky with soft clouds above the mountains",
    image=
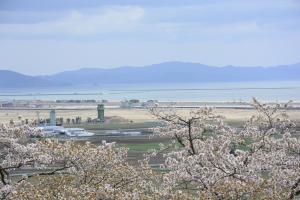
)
(48, 36)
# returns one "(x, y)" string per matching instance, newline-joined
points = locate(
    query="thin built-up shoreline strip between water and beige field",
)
(92, 104)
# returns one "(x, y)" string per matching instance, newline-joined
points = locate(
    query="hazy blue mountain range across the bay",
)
(169, 72)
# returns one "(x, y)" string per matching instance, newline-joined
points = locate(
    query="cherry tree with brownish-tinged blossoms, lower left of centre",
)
(87, 172)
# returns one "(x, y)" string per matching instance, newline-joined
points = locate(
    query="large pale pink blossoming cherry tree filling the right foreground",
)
(212, 160)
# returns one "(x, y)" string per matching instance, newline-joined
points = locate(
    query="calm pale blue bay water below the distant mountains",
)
(235, 91)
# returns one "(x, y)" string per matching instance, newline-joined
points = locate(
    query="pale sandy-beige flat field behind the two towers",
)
(138, 115)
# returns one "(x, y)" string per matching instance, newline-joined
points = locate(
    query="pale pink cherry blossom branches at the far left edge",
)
(16, 151)
